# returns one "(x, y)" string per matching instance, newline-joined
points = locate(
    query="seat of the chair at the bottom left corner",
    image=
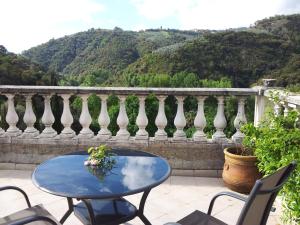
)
(37, 210)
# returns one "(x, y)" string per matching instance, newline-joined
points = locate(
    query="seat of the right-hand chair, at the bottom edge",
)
(200, 218)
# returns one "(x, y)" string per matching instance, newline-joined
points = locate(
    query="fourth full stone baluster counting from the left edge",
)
(67, 118)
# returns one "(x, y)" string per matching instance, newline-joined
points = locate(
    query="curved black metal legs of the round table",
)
(140, 211)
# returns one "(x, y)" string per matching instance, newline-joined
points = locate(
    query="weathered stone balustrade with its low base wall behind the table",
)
(22, 145)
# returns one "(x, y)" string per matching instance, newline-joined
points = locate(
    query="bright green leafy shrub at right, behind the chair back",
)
(277, 143)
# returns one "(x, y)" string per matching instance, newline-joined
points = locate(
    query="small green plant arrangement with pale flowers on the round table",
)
(100, 156)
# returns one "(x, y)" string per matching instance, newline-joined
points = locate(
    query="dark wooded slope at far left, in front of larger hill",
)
(17, 70)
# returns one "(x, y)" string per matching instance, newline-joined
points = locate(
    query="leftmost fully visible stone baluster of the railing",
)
(12, 117)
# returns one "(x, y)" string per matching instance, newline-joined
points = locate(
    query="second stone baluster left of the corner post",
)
(220, 122)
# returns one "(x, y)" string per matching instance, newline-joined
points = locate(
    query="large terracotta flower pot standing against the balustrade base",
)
(239, 172)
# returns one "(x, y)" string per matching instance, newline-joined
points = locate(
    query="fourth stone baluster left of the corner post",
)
(179, 120)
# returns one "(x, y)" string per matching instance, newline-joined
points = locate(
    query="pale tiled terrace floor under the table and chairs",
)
(172, 200)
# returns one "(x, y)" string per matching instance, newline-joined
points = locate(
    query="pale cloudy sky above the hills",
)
(28, 23)
